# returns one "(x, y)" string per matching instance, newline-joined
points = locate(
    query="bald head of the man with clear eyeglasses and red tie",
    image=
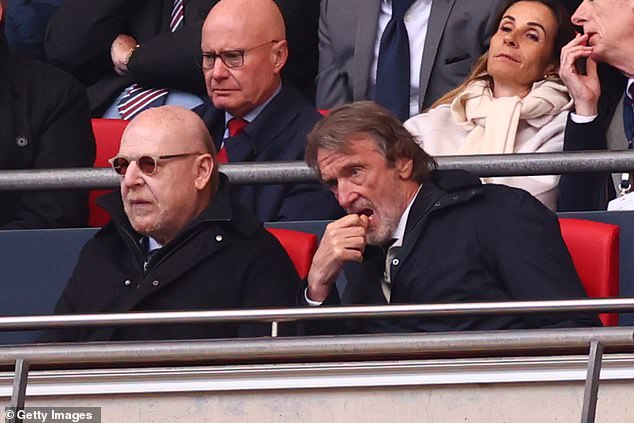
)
(255, 29)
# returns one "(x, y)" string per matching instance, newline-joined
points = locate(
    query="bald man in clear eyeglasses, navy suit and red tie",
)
(257, 116)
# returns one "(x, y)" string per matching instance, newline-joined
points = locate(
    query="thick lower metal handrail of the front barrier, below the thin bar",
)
(322, 348)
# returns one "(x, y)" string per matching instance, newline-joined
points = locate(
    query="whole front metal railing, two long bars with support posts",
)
(319, 348)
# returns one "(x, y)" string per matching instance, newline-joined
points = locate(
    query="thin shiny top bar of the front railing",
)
(595, 305)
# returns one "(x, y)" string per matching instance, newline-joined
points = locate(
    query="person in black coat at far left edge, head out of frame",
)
(44, 124)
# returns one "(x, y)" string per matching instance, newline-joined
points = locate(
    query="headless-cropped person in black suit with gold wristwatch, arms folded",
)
(110, 45)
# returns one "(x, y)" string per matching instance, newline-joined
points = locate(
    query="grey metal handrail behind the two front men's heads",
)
(297, 171)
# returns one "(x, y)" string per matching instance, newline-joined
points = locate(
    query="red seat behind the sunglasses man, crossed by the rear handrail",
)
(107, 137)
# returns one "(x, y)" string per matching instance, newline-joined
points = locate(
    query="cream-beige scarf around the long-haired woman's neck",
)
(492, 122)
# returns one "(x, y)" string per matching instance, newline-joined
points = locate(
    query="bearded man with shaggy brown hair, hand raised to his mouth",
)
(414, 234)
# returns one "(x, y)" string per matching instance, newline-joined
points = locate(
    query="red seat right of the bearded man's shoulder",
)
(594, 248)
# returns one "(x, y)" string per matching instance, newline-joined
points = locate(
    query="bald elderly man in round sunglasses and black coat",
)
(176, 241)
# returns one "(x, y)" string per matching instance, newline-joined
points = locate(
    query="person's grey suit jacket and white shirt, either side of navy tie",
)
(445, 37)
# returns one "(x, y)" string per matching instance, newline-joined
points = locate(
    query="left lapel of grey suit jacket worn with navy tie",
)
(367, 22)
